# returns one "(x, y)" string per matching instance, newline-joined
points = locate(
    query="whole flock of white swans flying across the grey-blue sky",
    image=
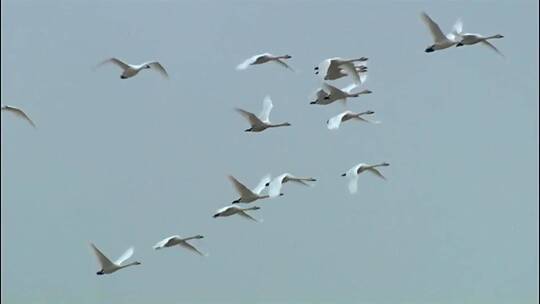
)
(329, 69)
